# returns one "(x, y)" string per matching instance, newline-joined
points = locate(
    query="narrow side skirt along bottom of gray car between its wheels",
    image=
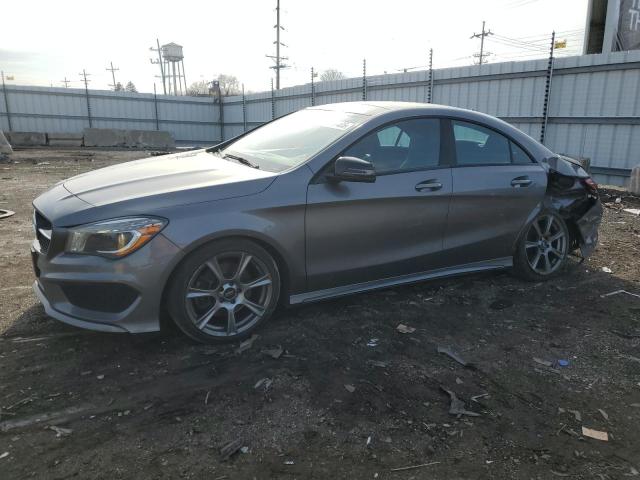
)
(495, 264)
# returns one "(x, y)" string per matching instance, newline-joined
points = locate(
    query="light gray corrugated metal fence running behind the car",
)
(594, 106)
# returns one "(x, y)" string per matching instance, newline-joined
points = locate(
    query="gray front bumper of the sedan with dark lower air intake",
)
(105, 295)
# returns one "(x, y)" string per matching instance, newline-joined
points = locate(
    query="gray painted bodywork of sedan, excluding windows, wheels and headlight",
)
(329, 239)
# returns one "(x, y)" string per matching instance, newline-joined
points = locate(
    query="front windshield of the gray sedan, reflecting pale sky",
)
(291, 140)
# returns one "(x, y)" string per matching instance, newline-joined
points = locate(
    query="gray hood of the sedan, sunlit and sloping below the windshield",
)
(182, 178)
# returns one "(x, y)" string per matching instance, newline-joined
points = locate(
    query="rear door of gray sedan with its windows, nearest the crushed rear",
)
(496, 185)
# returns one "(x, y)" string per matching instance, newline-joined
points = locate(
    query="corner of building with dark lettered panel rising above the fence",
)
(612, 26)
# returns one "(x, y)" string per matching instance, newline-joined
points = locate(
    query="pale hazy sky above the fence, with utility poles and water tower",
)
(43, 42)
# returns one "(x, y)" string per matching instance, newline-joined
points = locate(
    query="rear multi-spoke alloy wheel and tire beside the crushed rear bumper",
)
(542, 250)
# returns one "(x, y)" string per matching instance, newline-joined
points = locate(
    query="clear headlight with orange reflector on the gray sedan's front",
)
(113, 238)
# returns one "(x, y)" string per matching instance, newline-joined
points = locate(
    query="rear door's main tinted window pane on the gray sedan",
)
(476, 145)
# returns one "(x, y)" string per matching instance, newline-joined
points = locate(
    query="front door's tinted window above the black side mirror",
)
(404, 146)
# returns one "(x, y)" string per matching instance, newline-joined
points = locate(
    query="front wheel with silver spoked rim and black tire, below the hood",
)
(224, 291)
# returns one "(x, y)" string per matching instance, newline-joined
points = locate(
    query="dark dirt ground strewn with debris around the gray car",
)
(351, 396)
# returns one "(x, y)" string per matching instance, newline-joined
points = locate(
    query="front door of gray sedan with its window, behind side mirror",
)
(360, 232)
